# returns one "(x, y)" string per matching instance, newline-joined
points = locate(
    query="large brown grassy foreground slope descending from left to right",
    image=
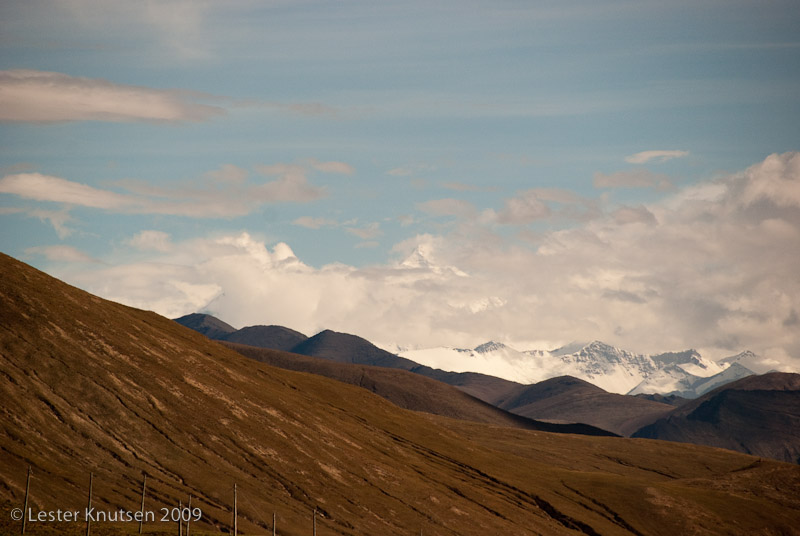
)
(89, 385)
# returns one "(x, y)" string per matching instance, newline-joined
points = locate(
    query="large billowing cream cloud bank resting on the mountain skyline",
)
(713, 266)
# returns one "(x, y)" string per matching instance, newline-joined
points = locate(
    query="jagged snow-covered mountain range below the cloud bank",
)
(612, 369)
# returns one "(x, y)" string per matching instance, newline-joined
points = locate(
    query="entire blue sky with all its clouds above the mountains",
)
(533, 173)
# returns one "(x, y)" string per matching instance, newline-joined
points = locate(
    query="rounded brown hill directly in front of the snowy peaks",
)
(570, 399)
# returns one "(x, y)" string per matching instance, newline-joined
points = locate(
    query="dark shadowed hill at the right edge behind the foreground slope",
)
(757, 415)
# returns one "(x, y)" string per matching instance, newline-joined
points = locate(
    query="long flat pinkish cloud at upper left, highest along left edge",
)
(40, 96)
